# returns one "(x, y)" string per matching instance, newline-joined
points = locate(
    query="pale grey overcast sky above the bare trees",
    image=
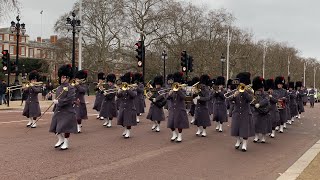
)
(294, 21)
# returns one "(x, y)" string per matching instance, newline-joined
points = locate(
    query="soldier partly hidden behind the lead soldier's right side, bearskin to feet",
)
(80, 104)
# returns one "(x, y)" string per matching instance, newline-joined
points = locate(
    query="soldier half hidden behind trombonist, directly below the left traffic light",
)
(139, 99)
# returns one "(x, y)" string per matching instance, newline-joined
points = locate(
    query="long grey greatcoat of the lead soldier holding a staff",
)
(64, 117)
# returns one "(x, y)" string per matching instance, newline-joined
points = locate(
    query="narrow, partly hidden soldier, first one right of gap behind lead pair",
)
(99, 96)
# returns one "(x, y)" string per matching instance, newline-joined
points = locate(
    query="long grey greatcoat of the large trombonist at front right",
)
(242, 124)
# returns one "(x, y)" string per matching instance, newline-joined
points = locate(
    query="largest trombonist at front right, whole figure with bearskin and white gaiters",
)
(242, 126)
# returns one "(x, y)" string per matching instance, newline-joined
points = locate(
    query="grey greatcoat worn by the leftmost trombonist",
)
(32, 107)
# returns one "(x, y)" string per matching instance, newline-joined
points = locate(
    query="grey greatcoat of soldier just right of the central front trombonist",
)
(202, 117)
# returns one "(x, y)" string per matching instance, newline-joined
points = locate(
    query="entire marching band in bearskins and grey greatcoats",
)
(258, 108)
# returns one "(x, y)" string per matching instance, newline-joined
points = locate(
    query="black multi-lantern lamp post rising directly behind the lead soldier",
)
(74, 25)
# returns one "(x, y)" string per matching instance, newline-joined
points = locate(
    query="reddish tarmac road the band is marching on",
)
(102, 153)
